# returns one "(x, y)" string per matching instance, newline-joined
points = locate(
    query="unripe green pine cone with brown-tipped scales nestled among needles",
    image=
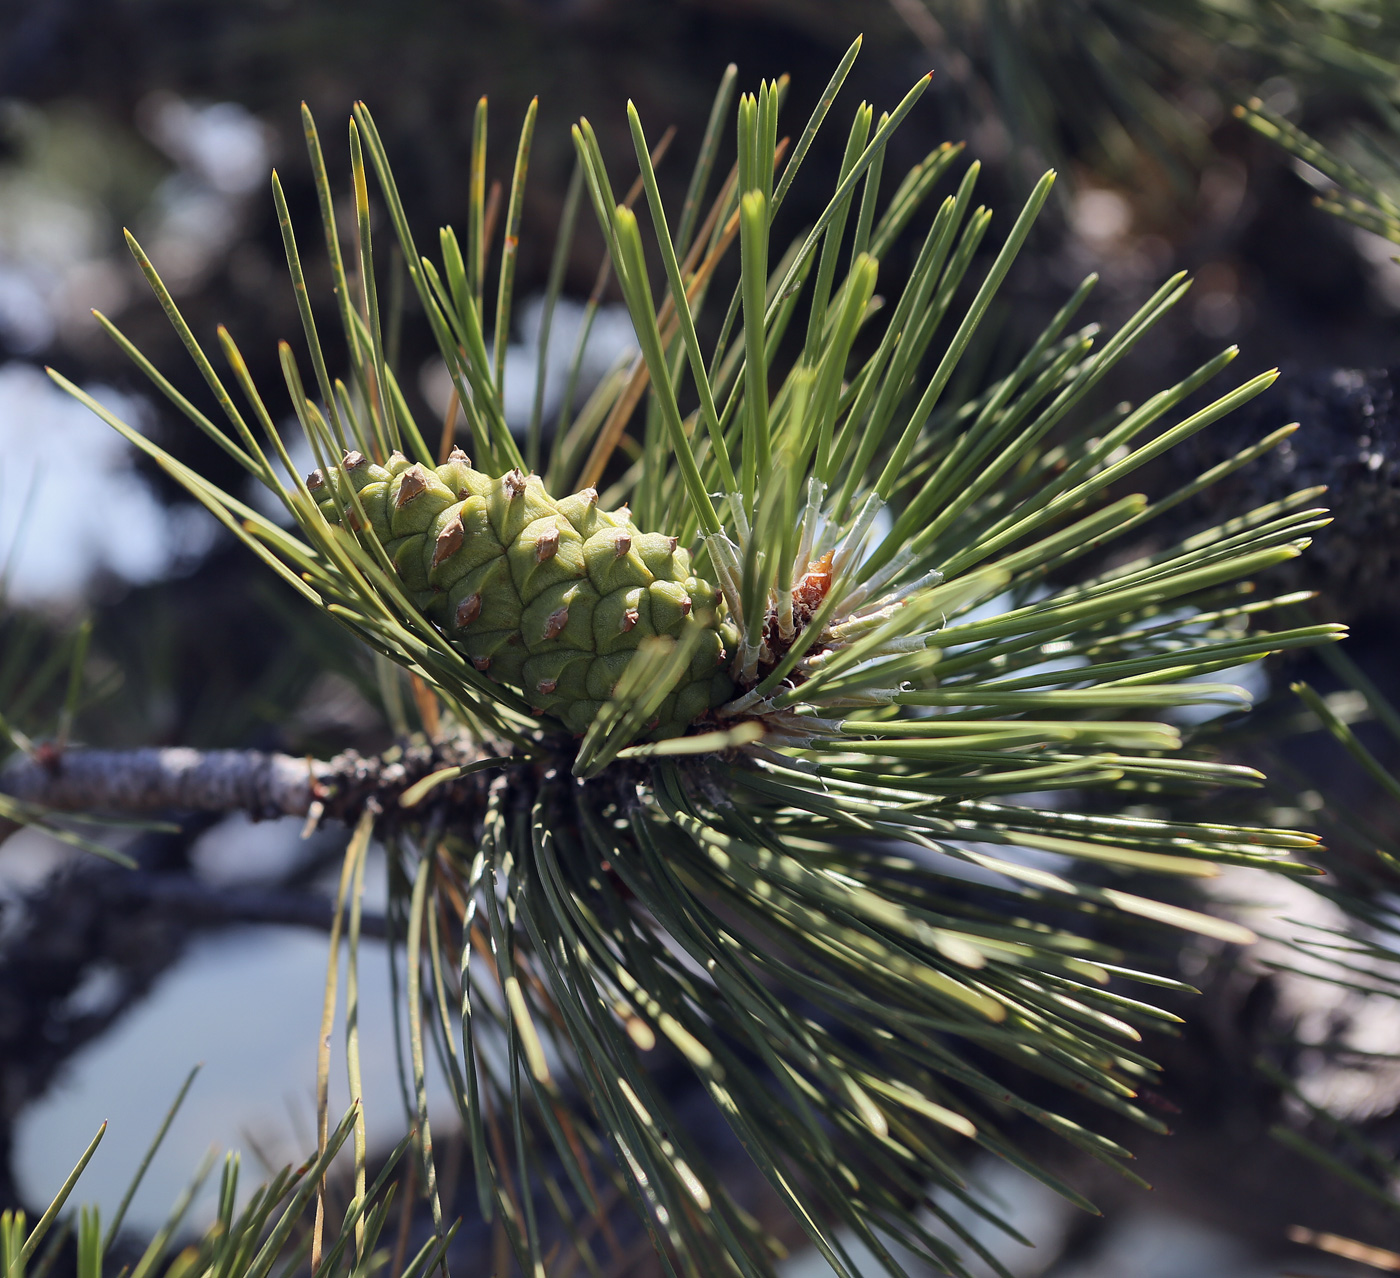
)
(548, 597)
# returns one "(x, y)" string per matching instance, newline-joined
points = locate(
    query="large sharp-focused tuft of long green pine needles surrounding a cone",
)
(744, 755)
